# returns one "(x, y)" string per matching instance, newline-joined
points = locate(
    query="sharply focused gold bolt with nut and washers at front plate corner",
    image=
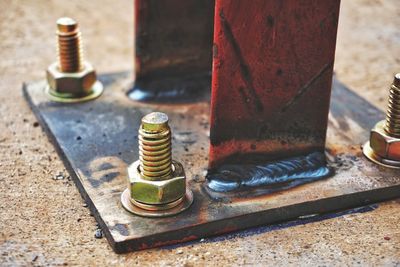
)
(157, 184)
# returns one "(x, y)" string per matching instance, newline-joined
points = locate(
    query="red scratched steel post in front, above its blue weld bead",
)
(272, 76)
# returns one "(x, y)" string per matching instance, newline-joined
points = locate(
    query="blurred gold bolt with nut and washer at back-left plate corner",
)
(71, 79)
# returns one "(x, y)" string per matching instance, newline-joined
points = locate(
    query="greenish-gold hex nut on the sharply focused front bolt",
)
(157, 192)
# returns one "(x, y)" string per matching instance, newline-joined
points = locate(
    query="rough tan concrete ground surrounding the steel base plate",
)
(43, 220)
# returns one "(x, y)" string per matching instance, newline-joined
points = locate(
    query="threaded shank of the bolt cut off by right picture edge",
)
(392, 126)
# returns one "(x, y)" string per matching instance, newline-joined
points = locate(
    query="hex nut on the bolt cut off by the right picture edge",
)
(384, 145)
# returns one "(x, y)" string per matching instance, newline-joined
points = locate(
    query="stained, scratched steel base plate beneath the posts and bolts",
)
(98, 139)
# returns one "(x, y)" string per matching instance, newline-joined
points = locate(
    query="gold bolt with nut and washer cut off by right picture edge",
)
(383, 147)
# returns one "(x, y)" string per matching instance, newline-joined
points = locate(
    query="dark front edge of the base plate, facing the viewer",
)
(266, 217)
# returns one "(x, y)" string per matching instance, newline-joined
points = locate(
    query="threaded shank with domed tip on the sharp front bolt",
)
(155, 147)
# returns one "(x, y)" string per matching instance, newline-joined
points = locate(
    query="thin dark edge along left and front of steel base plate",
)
(271, 216)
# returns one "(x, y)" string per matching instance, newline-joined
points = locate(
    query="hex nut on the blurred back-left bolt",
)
(79, 83)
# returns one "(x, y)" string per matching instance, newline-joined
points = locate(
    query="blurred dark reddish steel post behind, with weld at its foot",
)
(173, 49)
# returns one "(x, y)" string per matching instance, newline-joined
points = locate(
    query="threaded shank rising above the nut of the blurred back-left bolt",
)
(70, 54)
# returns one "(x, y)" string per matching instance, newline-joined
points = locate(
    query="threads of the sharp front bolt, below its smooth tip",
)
(155, 153)
